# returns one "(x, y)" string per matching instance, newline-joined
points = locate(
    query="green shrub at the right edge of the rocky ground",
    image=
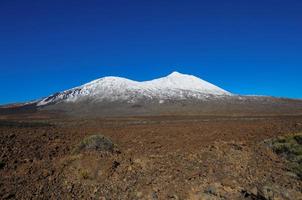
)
(290, 147)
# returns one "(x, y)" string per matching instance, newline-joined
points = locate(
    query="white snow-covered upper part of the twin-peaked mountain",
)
(175, 86)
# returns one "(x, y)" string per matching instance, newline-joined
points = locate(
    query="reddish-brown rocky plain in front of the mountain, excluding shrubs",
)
(171, 157)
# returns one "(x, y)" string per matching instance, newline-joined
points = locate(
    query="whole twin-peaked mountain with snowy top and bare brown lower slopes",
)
(175, 94)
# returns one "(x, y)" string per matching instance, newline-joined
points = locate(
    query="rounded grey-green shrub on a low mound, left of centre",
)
(95, 142)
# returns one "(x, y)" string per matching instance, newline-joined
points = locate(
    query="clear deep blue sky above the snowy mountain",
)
(244, 46)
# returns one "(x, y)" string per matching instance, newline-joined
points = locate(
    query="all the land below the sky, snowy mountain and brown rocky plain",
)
(176, 137)
